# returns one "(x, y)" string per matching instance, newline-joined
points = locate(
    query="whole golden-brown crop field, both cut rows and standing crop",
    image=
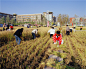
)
(34, 54)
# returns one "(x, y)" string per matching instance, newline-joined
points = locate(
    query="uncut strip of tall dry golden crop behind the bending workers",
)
(6, 36)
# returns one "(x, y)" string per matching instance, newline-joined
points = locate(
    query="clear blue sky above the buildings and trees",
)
(70, 7)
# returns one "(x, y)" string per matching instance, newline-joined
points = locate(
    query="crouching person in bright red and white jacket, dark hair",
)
(57, 37)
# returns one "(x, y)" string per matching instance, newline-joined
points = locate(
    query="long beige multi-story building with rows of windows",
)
(29, 17)
